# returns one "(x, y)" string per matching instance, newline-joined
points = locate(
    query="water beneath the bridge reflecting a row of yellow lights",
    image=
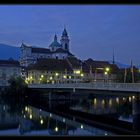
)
(120, 107)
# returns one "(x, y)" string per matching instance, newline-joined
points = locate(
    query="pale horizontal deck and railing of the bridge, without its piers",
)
(121, 87)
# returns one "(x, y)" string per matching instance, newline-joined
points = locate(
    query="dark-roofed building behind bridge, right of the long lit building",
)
(99, 71)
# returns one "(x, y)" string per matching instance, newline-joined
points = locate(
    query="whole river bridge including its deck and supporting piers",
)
(126, 89)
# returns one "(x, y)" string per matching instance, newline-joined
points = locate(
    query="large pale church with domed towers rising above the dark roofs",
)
(30, 54)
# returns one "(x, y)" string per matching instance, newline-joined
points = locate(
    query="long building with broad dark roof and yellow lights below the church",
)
(49, 70)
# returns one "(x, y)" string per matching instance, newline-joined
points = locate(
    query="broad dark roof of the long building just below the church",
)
(51, 65)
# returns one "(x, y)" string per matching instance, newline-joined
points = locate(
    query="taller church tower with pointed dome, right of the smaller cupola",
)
(65, 40)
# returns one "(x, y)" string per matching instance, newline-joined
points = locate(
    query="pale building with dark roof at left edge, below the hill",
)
(8, 68)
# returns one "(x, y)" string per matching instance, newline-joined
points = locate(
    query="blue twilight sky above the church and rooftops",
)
(94, 30)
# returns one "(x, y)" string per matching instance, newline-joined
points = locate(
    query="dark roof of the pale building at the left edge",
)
(9, 63)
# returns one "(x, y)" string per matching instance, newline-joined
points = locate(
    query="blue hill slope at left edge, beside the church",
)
(7, 51)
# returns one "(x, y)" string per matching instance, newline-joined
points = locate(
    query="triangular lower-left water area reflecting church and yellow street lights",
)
(18, 118)
